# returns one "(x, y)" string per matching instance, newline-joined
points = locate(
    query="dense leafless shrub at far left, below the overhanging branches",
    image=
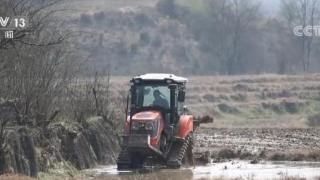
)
(37, 77)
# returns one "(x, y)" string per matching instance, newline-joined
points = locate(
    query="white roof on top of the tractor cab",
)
(161, 77)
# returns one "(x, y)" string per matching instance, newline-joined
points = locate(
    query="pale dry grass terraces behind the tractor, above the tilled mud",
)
(285, 101)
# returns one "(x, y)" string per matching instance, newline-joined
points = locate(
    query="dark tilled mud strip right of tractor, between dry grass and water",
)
(257, 144)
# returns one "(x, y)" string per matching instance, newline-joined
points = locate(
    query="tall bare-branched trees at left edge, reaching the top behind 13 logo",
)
(37, 64)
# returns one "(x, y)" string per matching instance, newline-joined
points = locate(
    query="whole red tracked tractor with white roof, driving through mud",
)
(157, 128)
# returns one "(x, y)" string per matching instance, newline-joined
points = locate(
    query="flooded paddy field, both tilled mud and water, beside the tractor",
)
(239, 154)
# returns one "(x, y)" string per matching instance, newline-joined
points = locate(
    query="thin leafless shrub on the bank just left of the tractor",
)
(92, 97)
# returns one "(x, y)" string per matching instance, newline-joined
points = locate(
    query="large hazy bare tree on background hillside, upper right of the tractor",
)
(231, 21)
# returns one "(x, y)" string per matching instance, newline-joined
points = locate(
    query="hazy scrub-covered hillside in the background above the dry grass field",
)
(187, 37)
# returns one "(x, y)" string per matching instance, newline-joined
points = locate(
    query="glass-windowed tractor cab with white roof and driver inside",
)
(158, 92)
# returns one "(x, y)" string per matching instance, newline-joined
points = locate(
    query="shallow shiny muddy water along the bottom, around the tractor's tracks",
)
(226, 170)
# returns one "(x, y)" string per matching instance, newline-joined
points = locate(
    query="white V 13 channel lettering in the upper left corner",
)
(13, 23)
